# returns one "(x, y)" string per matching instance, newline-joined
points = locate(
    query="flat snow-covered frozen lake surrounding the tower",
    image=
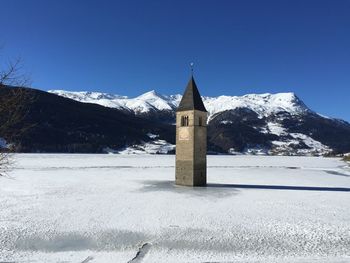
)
(115, 208)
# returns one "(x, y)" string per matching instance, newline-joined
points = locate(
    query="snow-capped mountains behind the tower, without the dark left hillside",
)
(255, 123)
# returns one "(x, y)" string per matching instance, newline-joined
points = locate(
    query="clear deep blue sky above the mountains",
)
(238, 47)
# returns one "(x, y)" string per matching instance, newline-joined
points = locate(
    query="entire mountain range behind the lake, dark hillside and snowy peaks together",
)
(67, 121)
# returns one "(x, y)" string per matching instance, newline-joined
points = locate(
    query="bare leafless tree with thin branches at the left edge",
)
(12, 109)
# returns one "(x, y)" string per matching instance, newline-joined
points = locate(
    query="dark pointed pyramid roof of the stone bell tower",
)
(191, 100)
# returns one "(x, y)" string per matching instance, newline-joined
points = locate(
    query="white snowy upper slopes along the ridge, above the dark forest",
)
(262, 104)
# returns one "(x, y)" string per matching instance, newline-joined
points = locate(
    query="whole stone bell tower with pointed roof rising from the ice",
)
(191, 138)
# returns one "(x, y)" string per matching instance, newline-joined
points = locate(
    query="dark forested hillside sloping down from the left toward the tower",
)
(51, 123)
